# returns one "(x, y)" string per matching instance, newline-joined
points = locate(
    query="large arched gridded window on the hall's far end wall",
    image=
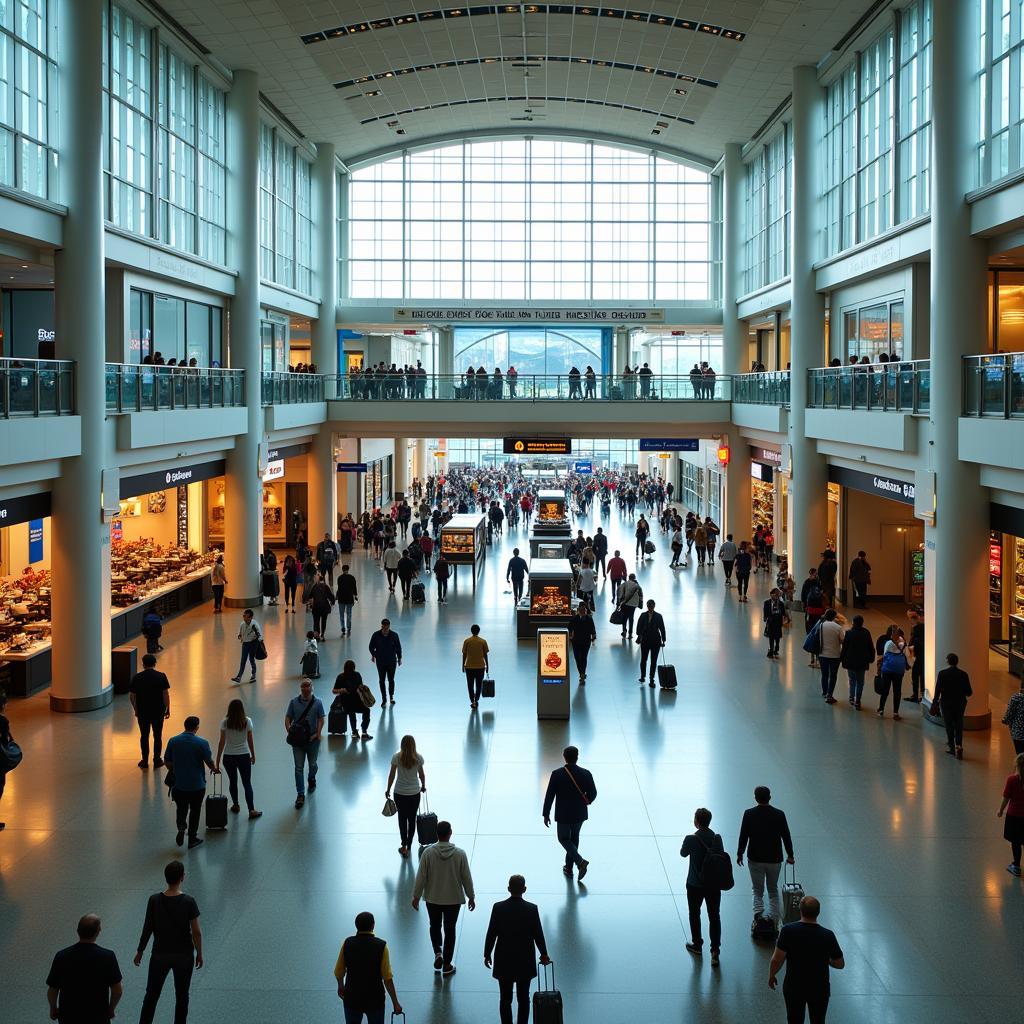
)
(531, 221)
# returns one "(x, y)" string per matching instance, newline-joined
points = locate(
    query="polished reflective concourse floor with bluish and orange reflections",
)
(900, 841)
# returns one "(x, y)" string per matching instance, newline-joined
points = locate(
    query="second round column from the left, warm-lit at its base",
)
(244, 486)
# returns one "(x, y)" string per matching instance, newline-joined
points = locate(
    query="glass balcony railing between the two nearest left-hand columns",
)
(134, 389)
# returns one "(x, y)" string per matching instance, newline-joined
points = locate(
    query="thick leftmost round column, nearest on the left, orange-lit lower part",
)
(81, 562)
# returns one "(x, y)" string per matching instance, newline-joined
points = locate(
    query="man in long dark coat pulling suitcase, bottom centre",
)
(514, 932)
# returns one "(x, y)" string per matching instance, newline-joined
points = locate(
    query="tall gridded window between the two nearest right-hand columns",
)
(877, 134)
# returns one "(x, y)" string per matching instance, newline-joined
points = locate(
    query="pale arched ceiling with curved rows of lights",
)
(372, 75)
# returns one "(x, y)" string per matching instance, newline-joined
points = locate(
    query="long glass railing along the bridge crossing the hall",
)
(528, 388)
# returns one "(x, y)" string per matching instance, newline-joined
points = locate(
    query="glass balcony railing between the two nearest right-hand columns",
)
(889, 388)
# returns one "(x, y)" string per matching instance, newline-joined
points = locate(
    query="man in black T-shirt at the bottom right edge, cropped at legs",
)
(808, 951)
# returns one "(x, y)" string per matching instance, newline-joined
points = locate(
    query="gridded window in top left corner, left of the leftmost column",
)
(28, 98)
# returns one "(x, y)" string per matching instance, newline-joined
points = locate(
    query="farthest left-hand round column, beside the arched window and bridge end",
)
(323, 491)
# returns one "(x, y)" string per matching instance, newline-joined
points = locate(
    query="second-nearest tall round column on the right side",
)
(809, 488)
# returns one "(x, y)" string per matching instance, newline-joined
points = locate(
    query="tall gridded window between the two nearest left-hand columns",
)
(165, 156)
